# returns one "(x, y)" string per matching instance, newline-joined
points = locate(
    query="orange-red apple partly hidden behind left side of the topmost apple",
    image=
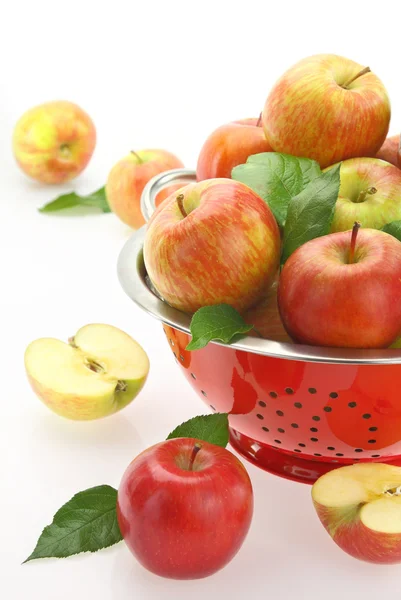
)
(229, 146)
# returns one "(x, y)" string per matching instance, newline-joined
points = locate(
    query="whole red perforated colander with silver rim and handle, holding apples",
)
(297, 411)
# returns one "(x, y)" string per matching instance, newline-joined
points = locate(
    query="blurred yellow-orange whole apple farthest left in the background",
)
(54, 142)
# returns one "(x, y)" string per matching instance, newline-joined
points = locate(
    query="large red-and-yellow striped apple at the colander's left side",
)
(226, 250)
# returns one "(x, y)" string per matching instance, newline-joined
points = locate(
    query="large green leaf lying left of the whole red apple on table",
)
(86, 523)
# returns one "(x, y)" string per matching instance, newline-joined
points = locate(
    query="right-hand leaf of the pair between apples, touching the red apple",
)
(311, 212)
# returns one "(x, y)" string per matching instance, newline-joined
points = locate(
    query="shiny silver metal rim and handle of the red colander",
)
(133, 279)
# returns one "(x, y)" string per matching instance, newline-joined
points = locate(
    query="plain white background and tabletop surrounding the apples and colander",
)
(161, 74)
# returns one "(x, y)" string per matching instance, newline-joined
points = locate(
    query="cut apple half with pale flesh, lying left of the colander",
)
(96, 374)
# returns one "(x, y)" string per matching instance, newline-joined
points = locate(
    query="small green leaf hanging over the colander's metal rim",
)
(219, 322)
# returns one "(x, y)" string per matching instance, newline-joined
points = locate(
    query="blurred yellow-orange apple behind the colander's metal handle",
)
(129, 176)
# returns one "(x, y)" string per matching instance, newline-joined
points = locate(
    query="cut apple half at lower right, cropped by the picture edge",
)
(360, 507)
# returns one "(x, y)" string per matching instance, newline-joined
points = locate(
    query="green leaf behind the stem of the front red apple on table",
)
(208, 428)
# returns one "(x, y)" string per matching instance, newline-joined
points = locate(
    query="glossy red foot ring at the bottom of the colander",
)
(287, 465)
